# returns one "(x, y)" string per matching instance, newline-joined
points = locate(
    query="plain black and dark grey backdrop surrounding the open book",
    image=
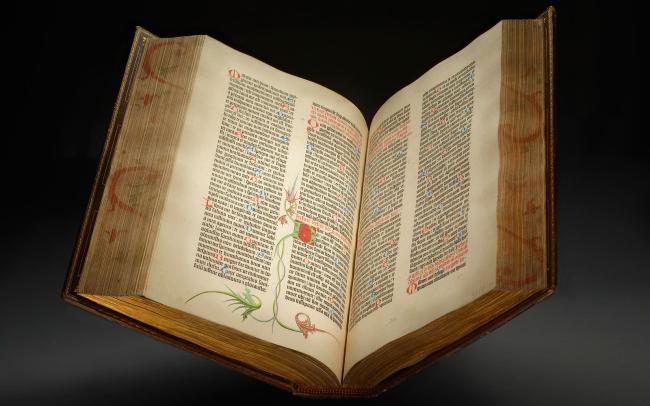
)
(587, 344)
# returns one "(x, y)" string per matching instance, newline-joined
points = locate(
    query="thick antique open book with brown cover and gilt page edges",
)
(256, 218)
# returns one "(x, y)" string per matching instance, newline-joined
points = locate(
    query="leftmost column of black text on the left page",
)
(245, 191)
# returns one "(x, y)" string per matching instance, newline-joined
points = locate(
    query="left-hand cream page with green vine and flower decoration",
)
(259, 224)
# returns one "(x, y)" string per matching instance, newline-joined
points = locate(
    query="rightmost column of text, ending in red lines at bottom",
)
(439, 242)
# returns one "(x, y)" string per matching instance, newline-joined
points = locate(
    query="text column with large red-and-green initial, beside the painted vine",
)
(321, 257)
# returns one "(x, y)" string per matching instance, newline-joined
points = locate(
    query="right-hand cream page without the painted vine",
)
(427, 231)
